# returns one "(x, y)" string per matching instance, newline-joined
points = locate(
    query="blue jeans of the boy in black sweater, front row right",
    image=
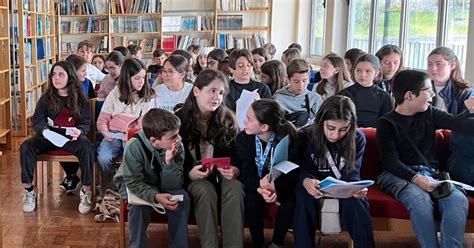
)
(420, 206)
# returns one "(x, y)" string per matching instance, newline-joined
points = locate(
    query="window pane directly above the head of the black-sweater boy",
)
(421, 35)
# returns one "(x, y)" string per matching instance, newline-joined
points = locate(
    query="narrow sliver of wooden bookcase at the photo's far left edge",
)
(5, 103)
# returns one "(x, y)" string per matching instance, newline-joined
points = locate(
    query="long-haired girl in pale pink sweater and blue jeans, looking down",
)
(123, 108)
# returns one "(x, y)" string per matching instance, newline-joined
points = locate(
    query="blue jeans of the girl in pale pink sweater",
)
(105, 153)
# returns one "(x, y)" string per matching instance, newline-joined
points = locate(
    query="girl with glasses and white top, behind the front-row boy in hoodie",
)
(174, 89)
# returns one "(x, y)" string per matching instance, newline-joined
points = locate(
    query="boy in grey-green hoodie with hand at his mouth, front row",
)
(152, 169)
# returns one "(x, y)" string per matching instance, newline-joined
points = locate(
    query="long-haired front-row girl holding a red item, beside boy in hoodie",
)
(208, 130)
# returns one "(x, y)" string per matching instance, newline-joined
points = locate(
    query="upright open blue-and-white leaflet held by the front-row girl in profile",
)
(279, 159)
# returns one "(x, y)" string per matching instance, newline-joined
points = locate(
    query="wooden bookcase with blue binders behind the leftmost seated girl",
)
(33, 53)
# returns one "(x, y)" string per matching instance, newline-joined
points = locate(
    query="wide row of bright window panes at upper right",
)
(414, 21)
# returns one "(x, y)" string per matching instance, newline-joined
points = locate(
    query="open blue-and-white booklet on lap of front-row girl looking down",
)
(340, 189)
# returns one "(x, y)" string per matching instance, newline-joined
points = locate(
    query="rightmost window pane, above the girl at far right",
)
(458, 22)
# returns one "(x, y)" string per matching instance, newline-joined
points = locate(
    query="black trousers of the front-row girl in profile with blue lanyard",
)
(255, 213)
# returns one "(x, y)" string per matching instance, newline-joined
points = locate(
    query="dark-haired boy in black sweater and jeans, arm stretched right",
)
(406, 141)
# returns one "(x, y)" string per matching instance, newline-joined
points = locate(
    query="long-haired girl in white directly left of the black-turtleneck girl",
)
(334, 76)
